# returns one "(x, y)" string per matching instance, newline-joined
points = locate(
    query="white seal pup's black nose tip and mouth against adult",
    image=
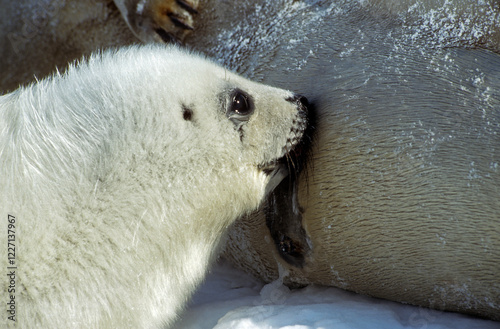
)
(281, 167)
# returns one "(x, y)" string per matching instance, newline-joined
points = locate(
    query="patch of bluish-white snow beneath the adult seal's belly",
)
(231, 299)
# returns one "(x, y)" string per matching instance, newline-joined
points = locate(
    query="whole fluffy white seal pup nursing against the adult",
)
(120, 178)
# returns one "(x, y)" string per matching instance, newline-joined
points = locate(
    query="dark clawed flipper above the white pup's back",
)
(159, 20)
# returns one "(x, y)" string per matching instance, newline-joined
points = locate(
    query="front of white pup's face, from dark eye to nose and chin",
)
(253, 117)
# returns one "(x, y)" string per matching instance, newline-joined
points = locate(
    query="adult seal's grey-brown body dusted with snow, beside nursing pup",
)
(401, 195)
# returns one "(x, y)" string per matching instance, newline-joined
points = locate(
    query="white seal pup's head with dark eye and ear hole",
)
(248, 128)
